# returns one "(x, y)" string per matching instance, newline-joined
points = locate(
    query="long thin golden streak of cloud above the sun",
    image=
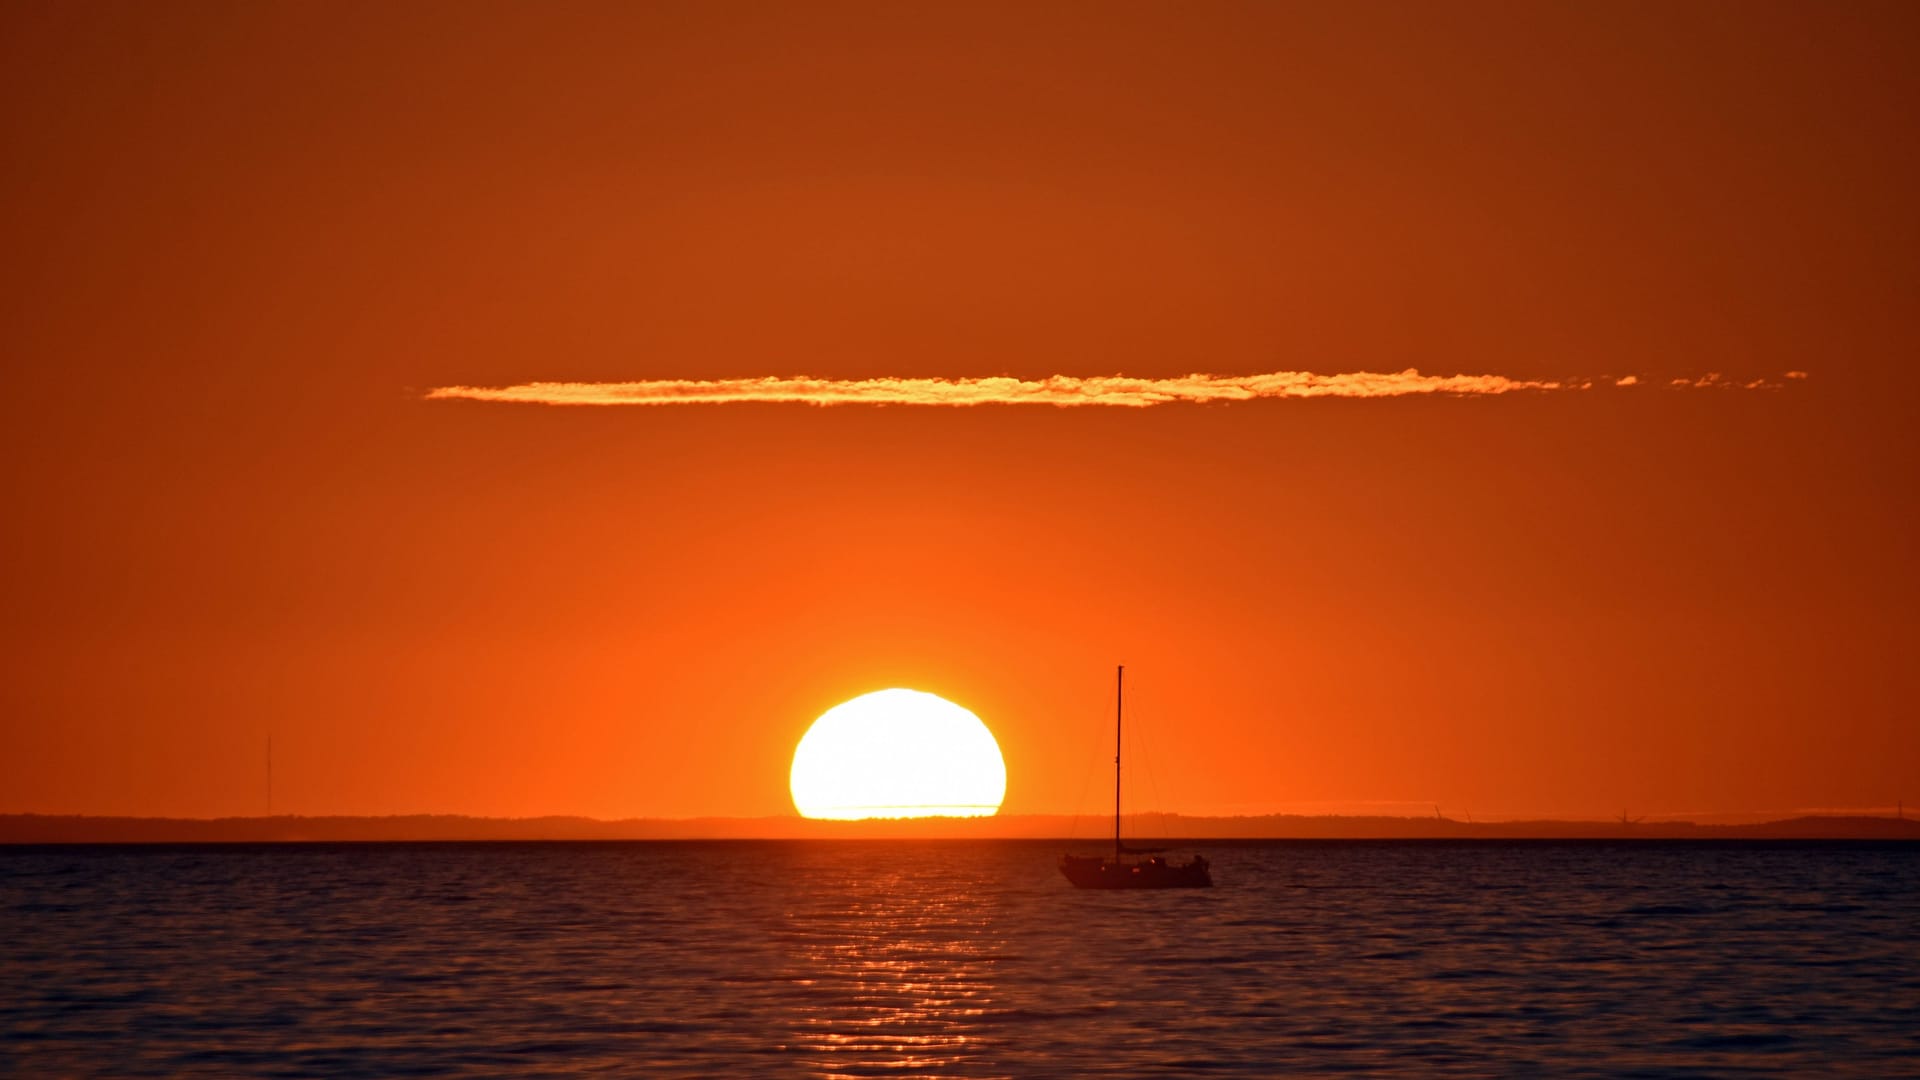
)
(1059, 391)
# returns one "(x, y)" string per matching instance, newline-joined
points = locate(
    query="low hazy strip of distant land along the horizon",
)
(78, 829)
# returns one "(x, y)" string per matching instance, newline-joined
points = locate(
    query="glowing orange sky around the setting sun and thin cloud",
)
(243, 243)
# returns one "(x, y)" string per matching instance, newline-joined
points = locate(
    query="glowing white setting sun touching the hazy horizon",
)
(898, 754)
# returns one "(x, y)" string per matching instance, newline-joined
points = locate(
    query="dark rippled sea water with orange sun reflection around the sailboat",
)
(959, 960)
